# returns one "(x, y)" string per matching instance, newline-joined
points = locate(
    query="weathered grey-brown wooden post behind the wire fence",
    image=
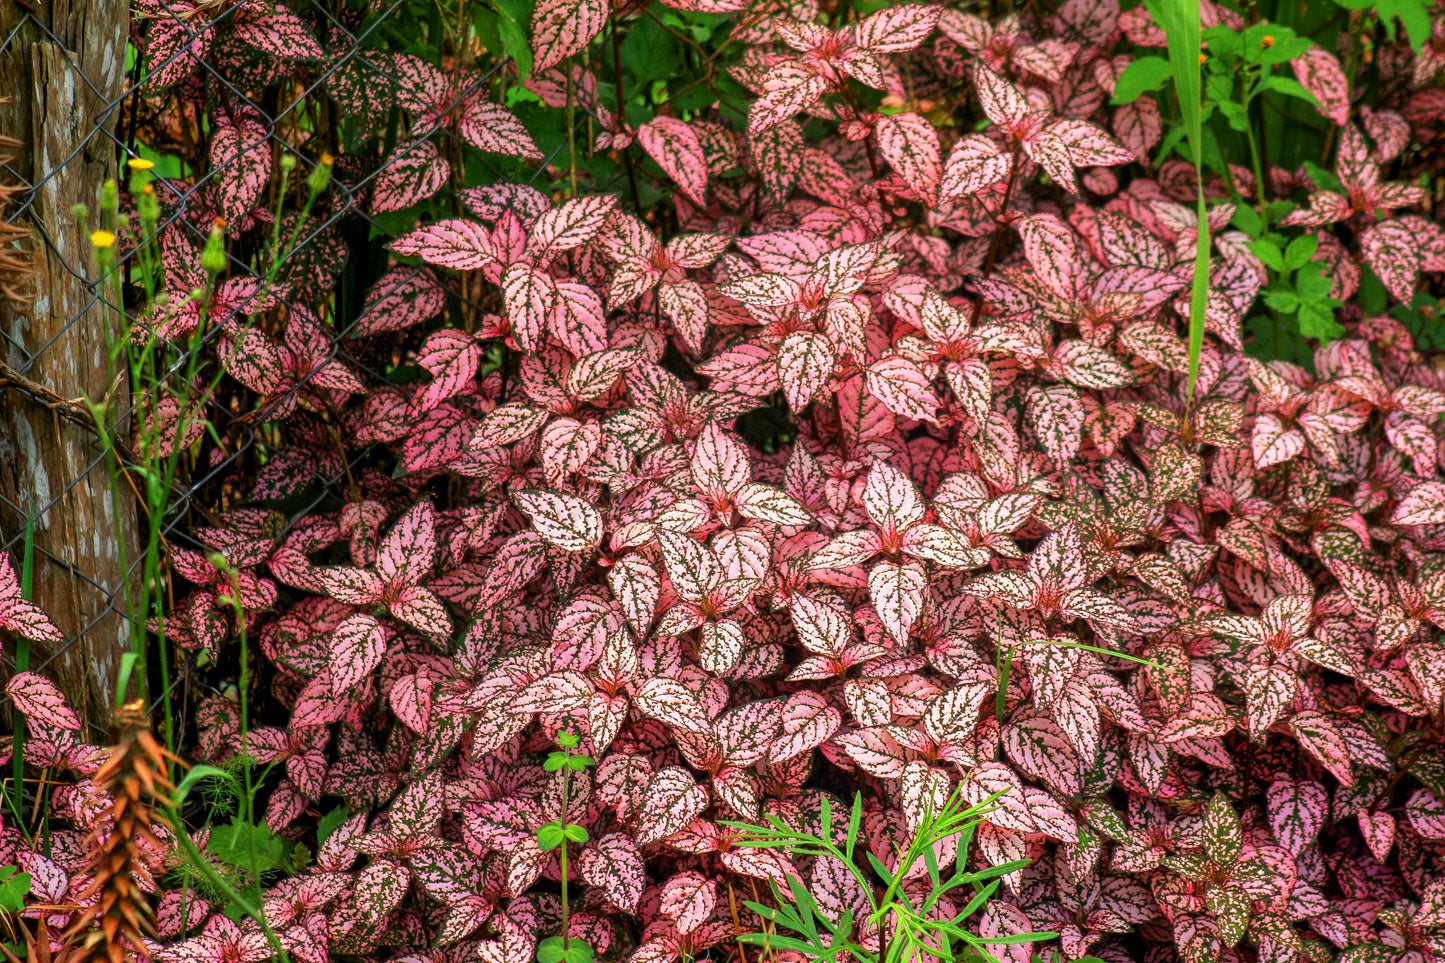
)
(64, 67)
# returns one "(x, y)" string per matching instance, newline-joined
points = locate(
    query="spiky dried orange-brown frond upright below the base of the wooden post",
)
(135, 777)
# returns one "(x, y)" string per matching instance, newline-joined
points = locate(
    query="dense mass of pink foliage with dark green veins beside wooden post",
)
(774, 403)
